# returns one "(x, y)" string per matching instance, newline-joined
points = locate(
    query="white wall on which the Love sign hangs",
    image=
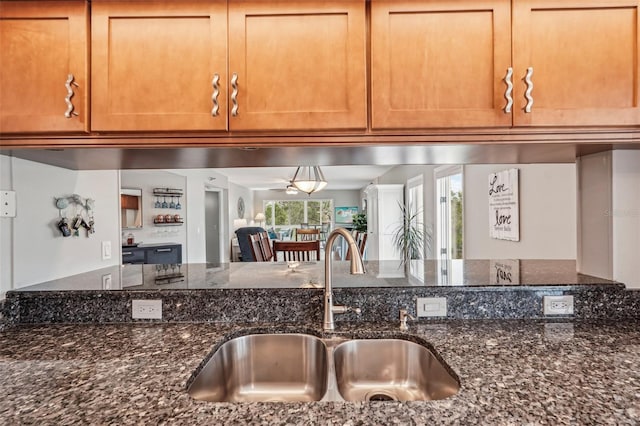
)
(547, 213)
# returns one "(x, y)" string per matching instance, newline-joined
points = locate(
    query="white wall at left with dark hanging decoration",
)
(40, 252)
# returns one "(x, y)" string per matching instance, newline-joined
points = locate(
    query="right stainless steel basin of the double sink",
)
(390, 369)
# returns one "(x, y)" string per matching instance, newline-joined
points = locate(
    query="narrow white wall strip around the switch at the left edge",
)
(6, 231)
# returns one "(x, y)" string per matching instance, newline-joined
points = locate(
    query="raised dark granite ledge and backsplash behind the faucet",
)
(272, 291)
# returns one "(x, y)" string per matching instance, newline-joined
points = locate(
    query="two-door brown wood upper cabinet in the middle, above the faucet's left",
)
(292, 65)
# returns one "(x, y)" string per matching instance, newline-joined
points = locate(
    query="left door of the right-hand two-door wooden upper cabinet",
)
(439, 63)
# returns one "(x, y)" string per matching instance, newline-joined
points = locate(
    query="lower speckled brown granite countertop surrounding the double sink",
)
(511, 372)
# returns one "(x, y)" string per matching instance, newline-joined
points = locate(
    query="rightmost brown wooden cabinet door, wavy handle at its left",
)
(584, 58)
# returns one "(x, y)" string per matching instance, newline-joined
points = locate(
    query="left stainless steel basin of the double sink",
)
(264, 367)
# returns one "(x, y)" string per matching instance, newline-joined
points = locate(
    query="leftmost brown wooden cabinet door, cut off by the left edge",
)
(41, 45)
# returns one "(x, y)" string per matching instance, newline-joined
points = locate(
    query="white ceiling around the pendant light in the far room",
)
(338, 177)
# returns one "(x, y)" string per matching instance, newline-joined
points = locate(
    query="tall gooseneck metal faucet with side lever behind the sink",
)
(357, 267)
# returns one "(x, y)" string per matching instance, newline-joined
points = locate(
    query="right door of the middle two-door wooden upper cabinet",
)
(299, 65)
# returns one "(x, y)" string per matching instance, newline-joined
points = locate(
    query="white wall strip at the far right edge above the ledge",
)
(626, 217)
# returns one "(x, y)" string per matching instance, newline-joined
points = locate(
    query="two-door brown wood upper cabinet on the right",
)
(442, 63)
